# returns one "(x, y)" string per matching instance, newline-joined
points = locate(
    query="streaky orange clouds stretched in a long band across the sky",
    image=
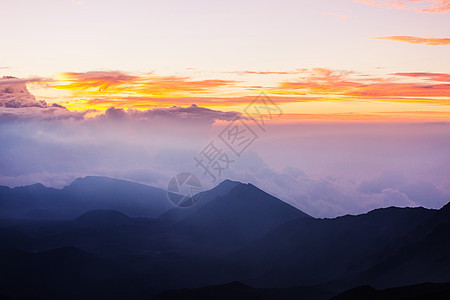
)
(100, 90)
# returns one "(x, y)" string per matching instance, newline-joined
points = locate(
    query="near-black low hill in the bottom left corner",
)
(65, 273)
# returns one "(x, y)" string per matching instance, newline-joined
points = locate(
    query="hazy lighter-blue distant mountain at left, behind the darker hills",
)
(84, 194)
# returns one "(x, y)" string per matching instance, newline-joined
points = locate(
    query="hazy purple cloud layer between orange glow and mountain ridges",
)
(324, 169)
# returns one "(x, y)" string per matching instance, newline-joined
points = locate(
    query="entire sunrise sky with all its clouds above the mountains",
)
(360, 92)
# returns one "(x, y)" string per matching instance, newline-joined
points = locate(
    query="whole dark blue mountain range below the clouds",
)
(108, 238)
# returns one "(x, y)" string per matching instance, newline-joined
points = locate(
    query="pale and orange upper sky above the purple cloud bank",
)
(336, 59)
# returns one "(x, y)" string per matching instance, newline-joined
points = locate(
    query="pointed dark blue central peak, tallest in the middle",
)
(240, 216)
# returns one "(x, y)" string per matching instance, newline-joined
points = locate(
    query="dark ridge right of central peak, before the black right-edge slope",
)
(309, 251)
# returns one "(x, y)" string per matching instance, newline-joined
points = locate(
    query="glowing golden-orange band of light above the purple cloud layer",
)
(339, 94)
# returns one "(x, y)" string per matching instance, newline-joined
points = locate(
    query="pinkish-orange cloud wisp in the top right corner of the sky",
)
(420, 6)
